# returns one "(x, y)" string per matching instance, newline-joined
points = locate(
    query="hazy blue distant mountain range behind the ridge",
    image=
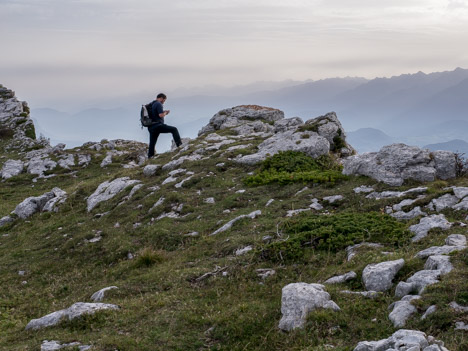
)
(417, 109)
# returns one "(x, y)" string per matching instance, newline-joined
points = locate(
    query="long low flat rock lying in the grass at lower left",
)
(74, 311)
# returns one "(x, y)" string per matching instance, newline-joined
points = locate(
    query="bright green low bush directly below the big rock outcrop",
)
(293, 166)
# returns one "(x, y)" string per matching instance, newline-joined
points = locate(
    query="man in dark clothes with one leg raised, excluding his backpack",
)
(159, 126)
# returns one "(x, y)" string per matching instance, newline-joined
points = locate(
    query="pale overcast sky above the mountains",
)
(95, 48)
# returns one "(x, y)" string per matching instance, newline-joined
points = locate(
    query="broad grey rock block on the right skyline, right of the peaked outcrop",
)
(395, 163)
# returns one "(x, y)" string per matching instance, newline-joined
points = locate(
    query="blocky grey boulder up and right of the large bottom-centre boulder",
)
(379, 276)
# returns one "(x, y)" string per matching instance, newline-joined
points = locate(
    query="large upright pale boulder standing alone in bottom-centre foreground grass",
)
(298, 300)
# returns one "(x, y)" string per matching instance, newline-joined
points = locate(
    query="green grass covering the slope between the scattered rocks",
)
(163, 304)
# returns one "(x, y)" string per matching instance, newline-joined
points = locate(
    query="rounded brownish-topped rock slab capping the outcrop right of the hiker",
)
(233, 117)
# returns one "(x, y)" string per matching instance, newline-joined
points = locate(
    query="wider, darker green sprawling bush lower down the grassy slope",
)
(335, 232)
